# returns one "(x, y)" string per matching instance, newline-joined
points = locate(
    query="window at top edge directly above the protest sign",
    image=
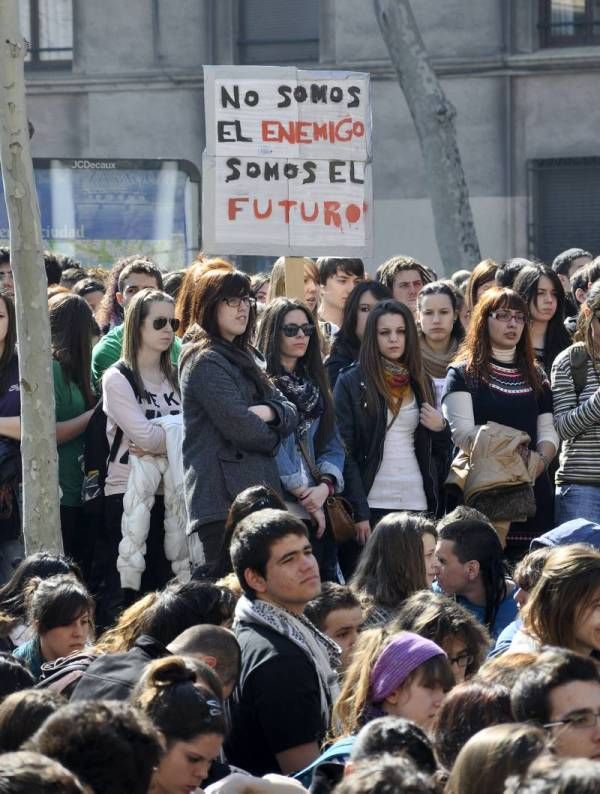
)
(278, 31)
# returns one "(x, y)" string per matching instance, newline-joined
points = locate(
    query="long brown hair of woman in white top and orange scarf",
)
(370, 357)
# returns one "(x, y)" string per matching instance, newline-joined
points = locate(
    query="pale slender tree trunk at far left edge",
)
(41, 519)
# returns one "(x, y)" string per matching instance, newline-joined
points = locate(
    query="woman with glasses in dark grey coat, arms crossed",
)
(233, 417)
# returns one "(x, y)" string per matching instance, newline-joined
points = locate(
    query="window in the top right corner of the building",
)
(569, 22)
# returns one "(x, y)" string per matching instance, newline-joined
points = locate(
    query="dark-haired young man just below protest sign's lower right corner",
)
(337, 277)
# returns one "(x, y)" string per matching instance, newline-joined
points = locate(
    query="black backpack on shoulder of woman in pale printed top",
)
(97, 454)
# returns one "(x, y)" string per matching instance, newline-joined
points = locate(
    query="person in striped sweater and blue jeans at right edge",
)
(576, 394)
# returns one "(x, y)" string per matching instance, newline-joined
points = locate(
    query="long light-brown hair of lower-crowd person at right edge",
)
(568, 582)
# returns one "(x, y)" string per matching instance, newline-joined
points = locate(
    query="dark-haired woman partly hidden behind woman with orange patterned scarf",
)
(346, 344)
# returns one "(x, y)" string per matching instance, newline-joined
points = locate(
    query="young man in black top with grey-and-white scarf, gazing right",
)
(281, 706)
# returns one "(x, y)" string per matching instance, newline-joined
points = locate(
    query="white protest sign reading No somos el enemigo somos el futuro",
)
(286, 169)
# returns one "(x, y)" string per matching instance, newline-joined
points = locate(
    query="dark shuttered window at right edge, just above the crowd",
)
(564, 206)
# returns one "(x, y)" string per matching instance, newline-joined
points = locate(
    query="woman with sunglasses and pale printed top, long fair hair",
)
(149, 330)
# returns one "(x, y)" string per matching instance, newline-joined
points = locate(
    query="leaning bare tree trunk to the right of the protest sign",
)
(433, 116)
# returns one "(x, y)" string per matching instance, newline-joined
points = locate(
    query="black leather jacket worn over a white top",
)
(364, 439)
